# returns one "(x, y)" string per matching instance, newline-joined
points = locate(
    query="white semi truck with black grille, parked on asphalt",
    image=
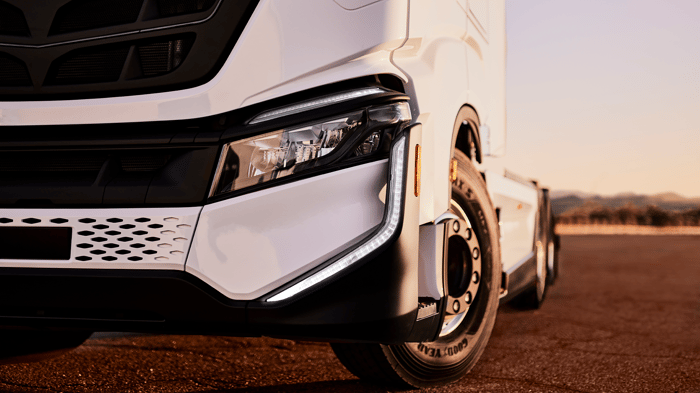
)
(317, 169)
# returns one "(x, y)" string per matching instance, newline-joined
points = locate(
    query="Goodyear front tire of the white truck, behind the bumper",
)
(456, 351)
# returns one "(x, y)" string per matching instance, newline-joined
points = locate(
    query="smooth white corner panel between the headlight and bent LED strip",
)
(249, 245)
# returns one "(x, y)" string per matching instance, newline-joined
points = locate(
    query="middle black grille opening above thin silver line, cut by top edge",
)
(81, 15)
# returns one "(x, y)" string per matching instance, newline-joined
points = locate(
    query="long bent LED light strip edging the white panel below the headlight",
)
(388, 229)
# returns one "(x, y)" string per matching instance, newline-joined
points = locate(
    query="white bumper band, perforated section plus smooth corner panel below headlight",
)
(243, 247)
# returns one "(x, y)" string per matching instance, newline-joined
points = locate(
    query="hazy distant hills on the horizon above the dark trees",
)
(563, 201)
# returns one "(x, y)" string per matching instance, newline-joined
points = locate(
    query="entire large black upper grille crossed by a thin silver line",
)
(103, 48)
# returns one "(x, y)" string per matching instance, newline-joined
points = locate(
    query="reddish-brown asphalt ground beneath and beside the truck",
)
(624, 317)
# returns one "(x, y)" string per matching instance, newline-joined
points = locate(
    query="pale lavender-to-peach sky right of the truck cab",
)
(603, 96)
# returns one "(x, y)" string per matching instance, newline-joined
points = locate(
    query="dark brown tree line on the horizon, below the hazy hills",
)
(629, 214)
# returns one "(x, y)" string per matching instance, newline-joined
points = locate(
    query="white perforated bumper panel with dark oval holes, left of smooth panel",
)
(109, 237)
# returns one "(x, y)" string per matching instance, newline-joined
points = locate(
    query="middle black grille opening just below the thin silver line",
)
(90, 66)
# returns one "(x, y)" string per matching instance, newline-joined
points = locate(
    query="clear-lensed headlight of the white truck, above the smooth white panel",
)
(299, 149)
